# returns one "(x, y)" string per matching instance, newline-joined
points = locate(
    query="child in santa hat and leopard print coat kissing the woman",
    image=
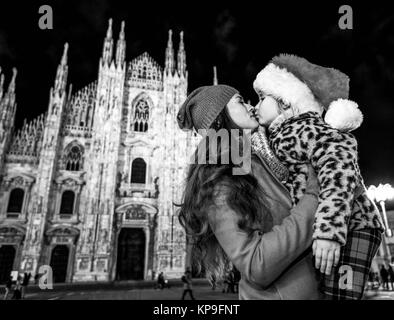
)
(347, 229)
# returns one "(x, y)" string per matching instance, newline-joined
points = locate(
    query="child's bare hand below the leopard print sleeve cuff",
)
(326, 254)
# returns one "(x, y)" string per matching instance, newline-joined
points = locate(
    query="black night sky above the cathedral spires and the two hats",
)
(239, 39)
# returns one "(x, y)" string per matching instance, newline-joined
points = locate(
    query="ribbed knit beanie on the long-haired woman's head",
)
(203, 105)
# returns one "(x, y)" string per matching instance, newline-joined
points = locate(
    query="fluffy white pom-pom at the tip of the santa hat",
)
(344, 115)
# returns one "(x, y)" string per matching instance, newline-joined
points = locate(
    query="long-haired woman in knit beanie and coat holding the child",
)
(246, 219)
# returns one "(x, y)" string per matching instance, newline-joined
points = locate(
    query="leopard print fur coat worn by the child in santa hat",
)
(343, 202)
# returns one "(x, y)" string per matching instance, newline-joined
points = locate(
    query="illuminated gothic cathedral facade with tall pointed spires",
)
(89, 186)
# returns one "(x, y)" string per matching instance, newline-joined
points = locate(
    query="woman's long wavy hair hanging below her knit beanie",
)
(243, 195)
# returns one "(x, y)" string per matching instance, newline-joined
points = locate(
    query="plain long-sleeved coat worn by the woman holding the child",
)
(275, 261)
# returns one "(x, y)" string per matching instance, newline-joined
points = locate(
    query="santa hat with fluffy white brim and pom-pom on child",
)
(308, 87)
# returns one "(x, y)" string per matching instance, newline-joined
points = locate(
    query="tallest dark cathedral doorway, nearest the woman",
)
(131, 254)
